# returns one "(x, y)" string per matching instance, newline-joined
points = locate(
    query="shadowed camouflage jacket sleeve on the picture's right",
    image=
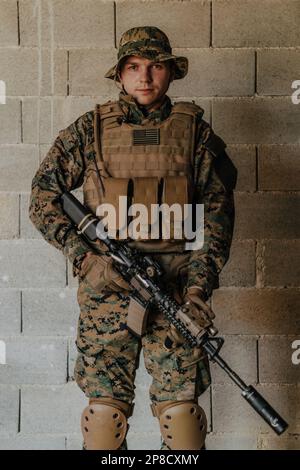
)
(214, 177)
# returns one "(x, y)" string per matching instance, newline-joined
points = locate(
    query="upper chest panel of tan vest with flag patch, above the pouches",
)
(147, 150)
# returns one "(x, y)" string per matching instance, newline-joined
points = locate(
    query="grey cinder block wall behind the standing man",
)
(244, 56)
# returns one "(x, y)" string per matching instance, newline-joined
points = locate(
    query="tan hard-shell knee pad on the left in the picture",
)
(104, 423)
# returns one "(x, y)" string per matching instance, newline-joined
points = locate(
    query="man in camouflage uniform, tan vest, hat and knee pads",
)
(109, 151)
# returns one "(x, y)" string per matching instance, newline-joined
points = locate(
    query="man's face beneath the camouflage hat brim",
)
(145, 80)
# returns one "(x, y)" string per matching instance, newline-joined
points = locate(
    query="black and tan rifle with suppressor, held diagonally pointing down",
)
(143, 274)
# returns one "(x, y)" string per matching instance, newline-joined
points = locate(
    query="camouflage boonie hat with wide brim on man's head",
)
(151, 43)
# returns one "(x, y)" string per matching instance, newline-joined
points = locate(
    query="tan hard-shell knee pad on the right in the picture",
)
(183, 424)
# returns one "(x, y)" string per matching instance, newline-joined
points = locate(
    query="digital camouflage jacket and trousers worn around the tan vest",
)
(108, 354)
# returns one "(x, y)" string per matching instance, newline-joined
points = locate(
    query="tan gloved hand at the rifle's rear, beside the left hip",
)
(98, 272)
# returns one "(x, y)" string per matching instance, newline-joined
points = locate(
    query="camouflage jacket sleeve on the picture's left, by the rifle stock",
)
(62, 169)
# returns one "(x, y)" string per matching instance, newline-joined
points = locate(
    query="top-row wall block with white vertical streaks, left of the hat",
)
(45, 23)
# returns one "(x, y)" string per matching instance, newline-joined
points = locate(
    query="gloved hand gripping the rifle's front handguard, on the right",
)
(194, 308)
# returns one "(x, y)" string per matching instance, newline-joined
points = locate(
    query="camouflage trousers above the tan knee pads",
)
(108, 354)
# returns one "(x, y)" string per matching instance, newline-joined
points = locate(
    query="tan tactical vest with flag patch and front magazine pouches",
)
(150, 164)
